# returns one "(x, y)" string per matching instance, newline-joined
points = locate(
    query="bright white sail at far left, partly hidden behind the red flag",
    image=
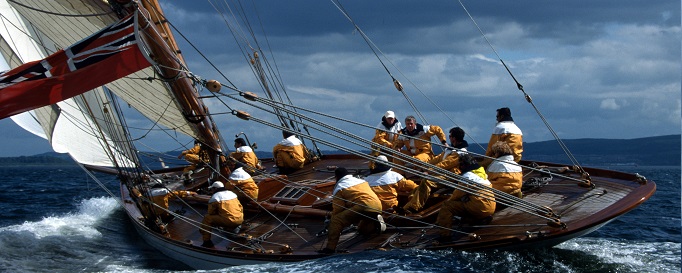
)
(68, 125)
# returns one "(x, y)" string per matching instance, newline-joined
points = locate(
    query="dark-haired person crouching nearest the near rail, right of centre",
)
(477, 207)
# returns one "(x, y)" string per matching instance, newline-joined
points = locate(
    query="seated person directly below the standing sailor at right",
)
(503, 173)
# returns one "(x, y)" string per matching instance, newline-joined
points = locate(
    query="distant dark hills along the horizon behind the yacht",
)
(648, 151)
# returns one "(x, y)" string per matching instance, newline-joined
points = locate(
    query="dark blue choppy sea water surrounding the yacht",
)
(58, 219)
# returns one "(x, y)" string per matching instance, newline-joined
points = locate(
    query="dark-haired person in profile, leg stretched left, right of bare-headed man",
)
(447, 160)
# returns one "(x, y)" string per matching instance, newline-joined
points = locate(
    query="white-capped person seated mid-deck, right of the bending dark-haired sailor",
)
(387, 183)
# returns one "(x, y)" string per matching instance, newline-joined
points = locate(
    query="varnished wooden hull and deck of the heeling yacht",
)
(300, 209)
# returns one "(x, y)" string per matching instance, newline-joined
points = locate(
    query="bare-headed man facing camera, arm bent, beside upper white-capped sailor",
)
(419, 148)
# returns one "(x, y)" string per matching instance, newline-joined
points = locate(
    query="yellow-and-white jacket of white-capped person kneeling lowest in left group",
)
(226, 205)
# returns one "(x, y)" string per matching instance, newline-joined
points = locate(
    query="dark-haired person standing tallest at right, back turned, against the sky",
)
(507, 131)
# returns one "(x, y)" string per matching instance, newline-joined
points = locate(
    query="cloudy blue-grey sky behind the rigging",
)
(595, 69)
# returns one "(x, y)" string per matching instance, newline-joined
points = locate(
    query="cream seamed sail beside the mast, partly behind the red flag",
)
(151, 99)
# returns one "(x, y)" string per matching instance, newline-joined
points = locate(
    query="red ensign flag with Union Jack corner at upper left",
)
(105, 56)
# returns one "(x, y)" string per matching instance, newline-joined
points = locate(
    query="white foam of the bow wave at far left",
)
(80, 223)
